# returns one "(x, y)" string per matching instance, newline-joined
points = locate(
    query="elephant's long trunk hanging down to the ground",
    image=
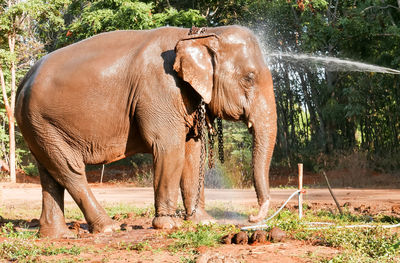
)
(264, 134)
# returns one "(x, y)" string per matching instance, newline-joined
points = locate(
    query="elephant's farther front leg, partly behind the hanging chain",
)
(192, 188)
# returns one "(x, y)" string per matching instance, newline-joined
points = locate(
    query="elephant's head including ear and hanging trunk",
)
(226, 67)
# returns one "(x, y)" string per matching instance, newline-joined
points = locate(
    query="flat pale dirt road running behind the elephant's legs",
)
(375, 200)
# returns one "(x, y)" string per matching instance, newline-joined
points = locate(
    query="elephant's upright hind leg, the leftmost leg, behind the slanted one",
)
(52, 223)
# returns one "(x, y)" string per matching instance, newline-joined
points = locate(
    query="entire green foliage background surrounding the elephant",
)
(322, 113)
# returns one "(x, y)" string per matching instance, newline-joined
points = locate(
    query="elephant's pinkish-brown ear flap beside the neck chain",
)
(194, 62)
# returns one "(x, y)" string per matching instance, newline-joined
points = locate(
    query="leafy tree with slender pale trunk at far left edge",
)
(18, 47)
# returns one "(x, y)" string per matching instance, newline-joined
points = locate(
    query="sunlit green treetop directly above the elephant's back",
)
(84, 19)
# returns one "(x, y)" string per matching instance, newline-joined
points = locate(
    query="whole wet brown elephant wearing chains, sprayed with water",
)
(139, 91)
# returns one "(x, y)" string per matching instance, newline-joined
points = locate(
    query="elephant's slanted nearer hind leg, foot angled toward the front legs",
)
(66, 167)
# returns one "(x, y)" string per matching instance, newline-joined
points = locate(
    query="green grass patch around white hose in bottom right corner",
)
(359, 244)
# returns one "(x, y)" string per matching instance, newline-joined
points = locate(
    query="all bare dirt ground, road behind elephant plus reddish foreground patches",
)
(139, 230)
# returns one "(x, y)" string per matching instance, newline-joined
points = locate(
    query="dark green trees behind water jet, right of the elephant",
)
(324, 109)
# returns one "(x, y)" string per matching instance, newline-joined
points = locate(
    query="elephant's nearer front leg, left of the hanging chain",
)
(168, 165)
